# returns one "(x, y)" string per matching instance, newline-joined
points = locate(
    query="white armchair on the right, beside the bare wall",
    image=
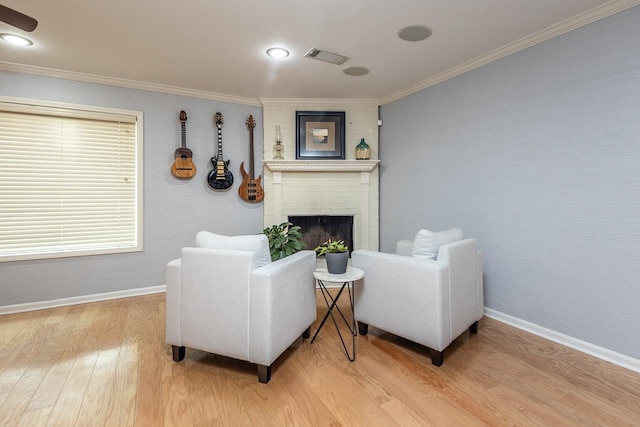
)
(427, 301)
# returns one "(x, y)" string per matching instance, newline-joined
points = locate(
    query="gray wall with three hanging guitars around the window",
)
(174, 210)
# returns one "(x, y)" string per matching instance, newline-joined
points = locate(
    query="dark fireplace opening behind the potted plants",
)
(317, 229)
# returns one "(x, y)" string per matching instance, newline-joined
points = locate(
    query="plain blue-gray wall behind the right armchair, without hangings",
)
(537, 156)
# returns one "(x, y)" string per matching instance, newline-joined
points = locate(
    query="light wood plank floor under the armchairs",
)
(107, 364)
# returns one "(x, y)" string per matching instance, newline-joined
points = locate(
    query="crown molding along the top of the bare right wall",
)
(550, 32)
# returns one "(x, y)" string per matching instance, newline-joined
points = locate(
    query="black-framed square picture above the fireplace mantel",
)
(320, 135)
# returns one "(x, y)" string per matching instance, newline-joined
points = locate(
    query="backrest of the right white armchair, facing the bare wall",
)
(465, 292)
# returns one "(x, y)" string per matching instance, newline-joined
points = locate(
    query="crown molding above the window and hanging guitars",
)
(130, 84)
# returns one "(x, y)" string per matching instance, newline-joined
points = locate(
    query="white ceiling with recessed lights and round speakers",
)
(218, 46)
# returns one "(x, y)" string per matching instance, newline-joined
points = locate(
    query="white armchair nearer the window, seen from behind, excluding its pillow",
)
(222, 302)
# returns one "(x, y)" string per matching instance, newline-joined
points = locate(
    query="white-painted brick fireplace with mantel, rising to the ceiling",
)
(323, 187)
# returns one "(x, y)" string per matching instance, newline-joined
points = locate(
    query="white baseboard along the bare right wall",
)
(583, 346)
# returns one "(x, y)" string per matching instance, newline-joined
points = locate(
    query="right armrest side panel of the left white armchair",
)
(282, 305)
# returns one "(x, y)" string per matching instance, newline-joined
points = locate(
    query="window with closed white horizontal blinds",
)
(70, 180)
